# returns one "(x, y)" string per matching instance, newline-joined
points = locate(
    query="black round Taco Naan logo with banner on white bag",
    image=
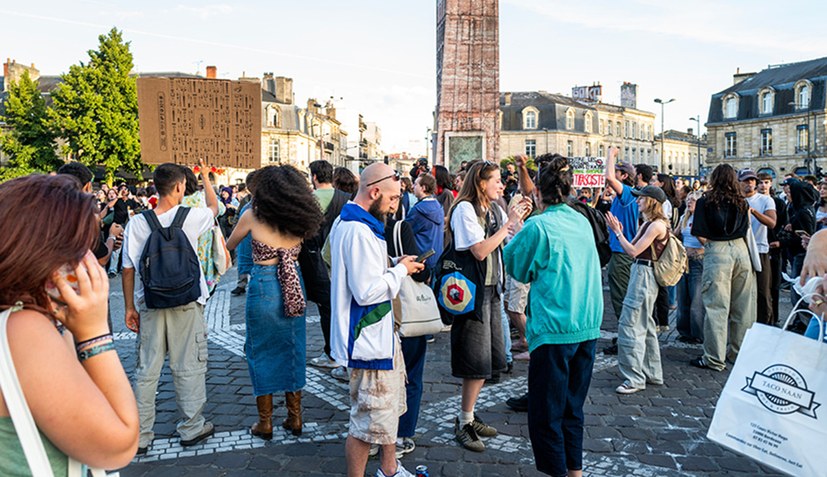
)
(782, 390)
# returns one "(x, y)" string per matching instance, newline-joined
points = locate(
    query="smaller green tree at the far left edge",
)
(29, 143)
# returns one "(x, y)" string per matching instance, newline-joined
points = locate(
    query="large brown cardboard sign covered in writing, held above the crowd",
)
(184, 119)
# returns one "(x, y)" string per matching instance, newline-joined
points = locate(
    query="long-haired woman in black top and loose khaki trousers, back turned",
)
(728, 286)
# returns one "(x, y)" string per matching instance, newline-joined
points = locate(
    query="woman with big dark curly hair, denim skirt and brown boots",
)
(284, 214)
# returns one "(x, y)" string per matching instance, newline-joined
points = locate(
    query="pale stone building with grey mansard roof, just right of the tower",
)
(538, 122)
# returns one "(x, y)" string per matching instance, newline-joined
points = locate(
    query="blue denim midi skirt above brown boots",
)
(275, 344)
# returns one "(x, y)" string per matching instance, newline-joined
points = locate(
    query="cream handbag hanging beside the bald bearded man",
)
(415, 310)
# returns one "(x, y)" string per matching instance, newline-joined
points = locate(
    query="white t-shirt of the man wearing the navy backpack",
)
(137, 231)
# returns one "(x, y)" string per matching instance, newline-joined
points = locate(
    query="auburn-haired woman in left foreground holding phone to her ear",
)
(59, 338)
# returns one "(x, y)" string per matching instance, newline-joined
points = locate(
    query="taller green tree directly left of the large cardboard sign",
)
(96, 108)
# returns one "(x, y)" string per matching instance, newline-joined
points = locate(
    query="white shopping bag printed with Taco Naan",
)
(771, 406)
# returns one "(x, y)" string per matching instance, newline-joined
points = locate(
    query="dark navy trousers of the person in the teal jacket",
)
(558, 381)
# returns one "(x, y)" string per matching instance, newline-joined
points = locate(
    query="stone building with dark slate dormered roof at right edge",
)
(771, 121)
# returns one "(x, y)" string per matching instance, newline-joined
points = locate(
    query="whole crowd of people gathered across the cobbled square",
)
(347, 243)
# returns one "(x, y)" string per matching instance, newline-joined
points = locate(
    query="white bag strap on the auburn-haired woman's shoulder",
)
(24, 425)
